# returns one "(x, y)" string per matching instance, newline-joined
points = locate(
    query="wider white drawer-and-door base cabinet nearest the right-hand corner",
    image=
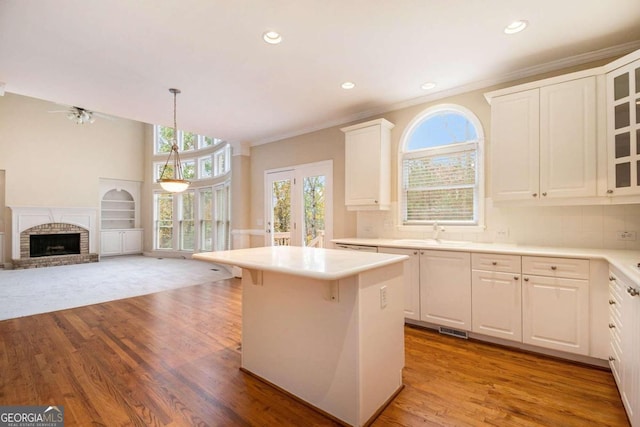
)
(555, 303)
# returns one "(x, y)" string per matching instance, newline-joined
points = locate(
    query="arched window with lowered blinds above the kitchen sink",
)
(441, 168)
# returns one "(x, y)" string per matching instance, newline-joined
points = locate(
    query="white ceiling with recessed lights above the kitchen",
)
(120, 57)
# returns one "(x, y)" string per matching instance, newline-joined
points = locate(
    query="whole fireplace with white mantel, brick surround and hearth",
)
(45, 237)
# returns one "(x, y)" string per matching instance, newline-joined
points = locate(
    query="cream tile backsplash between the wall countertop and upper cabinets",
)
(566, 226)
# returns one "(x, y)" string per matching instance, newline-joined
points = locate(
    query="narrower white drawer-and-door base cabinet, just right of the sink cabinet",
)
(496, 295)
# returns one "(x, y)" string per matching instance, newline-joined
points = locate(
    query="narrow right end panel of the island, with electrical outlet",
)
(381, 336)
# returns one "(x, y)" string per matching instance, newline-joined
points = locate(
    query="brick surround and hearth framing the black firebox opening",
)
(26, 261)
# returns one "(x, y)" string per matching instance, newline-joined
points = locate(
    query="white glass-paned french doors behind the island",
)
(299, 205)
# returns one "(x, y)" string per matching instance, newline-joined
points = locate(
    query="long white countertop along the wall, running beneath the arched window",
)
(623, 260)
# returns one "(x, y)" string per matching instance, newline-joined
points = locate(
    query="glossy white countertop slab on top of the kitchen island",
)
(323, 264)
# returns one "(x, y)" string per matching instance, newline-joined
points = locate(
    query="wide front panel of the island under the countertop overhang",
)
(296, 337)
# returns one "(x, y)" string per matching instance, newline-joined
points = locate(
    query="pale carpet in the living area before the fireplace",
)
(42, 290)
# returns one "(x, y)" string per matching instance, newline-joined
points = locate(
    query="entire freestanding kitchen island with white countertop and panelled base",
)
(324, 325)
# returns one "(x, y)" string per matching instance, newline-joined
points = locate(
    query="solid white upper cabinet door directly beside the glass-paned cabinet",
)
(568, 139)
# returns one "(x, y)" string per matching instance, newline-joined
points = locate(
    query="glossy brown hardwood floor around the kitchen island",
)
(173, 358)
